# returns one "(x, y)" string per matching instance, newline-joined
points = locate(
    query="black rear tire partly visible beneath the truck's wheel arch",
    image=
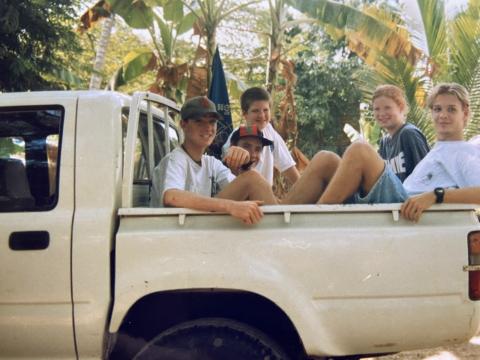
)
(211, 339)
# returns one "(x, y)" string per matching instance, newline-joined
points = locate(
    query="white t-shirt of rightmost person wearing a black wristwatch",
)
(449, 164)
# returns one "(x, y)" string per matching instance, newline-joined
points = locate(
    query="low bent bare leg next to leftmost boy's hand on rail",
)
(249, 185)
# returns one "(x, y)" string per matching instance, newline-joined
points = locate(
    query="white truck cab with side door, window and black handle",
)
(61, 164)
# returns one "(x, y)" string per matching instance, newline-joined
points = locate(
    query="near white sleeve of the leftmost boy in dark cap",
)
(171, 173)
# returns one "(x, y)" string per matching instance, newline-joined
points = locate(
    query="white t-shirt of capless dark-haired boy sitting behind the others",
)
(276, 156)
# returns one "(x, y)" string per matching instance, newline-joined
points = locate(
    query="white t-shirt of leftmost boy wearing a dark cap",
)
(177, 170)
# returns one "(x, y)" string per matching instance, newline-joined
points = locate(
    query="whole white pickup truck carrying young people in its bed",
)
(89, 271)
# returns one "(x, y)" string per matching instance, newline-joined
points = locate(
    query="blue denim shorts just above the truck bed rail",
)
(387, 189)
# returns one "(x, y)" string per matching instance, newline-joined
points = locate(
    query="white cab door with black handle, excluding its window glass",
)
(35, 292)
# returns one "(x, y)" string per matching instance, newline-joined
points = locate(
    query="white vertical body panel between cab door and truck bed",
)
(98, 178)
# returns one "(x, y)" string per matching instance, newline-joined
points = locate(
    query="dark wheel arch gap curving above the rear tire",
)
(153, 314)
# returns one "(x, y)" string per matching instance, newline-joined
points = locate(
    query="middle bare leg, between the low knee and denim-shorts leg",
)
(314, 179)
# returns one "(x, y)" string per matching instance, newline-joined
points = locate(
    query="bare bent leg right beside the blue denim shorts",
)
(360, 168)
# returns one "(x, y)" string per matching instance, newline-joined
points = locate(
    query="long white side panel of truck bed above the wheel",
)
(345, 275)
